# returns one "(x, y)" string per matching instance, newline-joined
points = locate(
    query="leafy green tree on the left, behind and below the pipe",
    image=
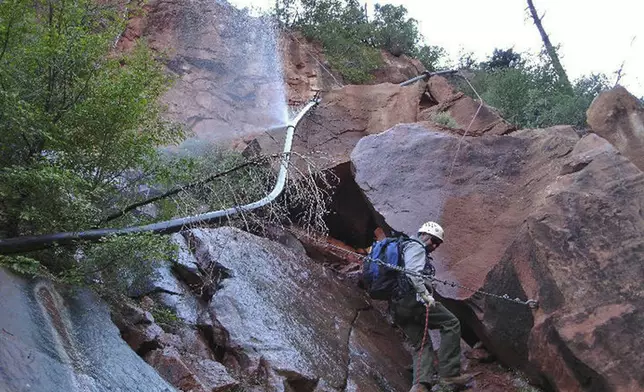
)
(75, 120)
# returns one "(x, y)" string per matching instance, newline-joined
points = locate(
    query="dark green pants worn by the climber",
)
(409, 315)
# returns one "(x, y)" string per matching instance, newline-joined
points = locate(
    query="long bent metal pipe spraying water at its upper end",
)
(31, 243)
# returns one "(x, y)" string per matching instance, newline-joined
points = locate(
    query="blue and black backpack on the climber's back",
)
(381, 282)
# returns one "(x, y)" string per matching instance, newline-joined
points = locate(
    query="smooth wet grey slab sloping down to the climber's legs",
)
(286, 318)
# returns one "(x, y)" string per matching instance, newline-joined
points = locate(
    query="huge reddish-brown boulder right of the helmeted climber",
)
(538, 214)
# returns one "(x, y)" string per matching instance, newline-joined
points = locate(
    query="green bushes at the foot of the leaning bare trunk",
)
(528, 94)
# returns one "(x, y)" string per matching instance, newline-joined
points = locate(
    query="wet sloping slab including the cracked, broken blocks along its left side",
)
(264, 318)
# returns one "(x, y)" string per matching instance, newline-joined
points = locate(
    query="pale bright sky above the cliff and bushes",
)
(593, 38)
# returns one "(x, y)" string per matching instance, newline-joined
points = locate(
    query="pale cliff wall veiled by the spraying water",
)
(220, 92)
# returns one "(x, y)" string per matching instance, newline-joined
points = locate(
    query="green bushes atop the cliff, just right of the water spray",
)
(351, 42)
